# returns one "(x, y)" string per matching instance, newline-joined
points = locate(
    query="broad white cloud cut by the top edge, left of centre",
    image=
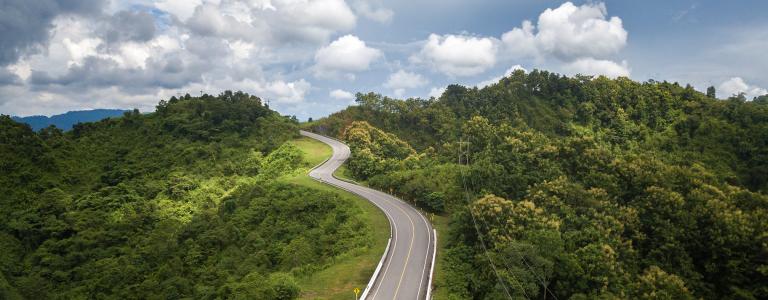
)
(276, 22)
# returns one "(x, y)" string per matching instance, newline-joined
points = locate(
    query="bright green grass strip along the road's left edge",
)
(348, 272)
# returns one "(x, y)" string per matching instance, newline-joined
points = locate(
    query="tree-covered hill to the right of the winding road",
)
(577, 187)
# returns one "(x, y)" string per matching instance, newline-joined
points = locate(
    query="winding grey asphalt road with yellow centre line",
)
(405, 270)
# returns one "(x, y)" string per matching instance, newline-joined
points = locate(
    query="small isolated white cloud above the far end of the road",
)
(346, 54)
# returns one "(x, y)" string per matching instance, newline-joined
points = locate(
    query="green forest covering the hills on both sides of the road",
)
(552, 187)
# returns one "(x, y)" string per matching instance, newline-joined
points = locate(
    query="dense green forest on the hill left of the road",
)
(180, 203)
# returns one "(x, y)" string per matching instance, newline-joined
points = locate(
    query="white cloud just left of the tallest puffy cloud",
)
(458, 55)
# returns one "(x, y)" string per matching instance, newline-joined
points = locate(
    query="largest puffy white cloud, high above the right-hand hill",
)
(568, 32)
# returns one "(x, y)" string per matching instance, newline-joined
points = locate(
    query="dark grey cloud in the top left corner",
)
(25, 25)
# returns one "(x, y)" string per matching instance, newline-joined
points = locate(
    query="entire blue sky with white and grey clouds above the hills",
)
(309, 57)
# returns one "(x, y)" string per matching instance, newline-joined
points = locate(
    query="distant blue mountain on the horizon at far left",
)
(65, 121)
